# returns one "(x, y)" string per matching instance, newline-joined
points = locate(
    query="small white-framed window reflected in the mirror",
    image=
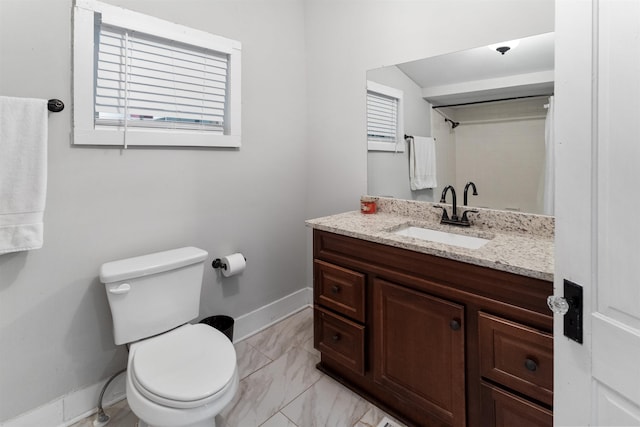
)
(385, 130)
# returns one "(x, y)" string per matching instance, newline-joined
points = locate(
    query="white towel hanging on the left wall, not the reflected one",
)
(23, 172)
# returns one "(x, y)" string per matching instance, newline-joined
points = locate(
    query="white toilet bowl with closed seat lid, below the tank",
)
(181, 378)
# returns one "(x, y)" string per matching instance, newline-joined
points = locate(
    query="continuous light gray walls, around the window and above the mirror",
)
(306, 59)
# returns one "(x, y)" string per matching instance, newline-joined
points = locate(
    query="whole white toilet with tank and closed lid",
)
(178, 374)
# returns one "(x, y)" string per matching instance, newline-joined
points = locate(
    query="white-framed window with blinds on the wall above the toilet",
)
(139, 80)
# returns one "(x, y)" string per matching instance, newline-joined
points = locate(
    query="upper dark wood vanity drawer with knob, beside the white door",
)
(516, 356)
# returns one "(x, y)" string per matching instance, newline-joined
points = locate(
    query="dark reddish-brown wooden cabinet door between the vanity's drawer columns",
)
(419, 350)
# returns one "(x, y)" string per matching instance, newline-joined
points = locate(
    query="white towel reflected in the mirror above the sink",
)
(422, 163)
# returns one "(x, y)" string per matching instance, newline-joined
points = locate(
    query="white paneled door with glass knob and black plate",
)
(598, 209)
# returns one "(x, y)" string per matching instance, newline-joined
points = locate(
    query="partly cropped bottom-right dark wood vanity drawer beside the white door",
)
(503, 409)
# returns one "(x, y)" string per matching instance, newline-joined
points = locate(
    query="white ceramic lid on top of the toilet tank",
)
(145, 265)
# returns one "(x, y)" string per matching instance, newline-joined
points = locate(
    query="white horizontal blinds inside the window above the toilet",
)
(151, 82)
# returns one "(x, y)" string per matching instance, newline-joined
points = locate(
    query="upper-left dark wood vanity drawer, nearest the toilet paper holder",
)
(339, 289)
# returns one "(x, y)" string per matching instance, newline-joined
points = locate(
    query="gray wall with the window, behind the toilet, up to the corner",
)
(106, 203)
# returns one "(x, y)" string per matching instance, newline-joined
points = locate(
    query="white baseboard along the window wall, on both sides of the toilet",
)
(79, 404)
